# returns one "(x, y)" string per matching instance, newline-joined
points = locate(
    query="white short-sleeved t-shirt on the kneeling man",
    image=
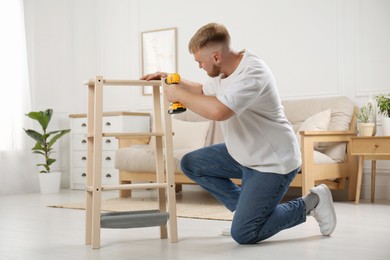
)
(259, 135)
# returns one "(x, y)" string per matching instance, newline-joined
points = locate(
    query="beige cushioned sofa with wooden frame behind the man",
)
(323, 126)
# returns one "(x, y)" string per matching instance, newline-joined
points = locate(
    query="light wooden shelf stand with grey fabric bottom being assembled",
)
(165, 183)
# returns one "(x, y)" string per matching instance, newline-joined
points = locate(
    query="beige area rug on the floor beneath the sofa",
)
(198, 205)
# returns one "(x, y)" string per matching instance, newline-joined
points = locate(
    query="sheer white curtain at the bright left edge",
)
(17, 171)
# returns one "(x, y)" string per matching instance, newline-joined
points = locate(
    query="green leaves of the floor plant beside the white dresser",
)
(44, 140)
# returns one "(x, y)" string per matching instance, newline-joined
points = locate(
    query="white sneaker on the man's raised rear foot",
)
(324, 212)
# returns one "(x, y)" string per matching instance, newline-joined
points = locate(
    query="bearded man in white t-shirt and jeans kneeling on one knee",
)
(260, 146)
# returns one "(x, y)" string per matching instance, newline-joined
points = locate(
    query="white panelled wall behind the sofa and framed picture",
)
(315, 48)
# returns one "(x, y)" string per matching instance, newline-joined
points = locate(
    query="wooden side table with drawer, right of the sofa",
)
(369, 148)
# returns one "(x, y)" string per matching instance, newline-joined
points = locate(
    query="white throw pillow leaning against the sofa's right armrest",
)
(317, 122)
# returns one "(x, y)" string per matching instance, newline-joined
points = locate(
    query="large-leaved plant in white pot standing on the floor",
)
(49, 181)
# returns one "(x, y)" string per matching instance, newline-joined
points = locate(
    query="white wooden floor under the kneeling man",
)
(31, 230)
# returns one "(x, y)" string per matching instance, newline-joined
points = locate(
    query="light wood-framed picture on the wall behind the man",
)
(159, 53)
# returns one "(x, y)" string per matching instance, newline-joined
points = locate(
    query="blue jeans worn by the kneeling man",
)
(258, 212)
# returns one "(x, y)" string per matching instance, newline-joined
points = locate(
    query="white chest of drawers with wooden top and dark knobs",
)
(118, 122)
